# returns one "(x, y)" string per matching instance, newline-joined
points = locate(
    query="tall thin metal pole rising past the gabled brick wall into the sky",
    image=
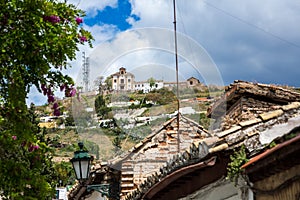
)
(177, 84)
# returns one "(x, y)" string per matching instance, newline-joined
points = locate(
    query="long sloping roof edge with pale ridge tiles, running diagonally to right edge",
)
(255, 134)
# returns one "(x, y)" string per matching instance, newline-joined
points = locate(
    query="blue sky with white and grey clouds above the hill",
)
(218, 41)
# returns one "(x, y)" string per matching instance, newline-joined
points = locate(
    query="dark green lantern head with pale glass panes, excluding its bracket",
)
(81, 163)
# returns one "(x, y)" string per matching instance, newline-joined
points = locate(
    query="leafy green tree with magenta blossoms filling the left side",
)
(37, 39)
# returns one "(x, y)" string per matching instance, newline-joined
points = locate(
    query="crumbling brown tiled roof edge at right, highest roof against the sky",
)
(266, 92)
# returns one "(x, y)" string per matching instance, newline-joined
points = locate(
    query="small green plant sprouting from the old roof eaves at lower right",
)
(234, 167)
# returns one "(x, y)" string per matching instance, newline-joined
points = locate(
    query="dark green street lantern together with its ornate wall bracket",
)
(81, 164)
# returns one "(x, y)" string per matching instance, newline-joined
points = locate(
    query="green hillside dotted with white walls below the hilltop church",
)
(132, 121)
